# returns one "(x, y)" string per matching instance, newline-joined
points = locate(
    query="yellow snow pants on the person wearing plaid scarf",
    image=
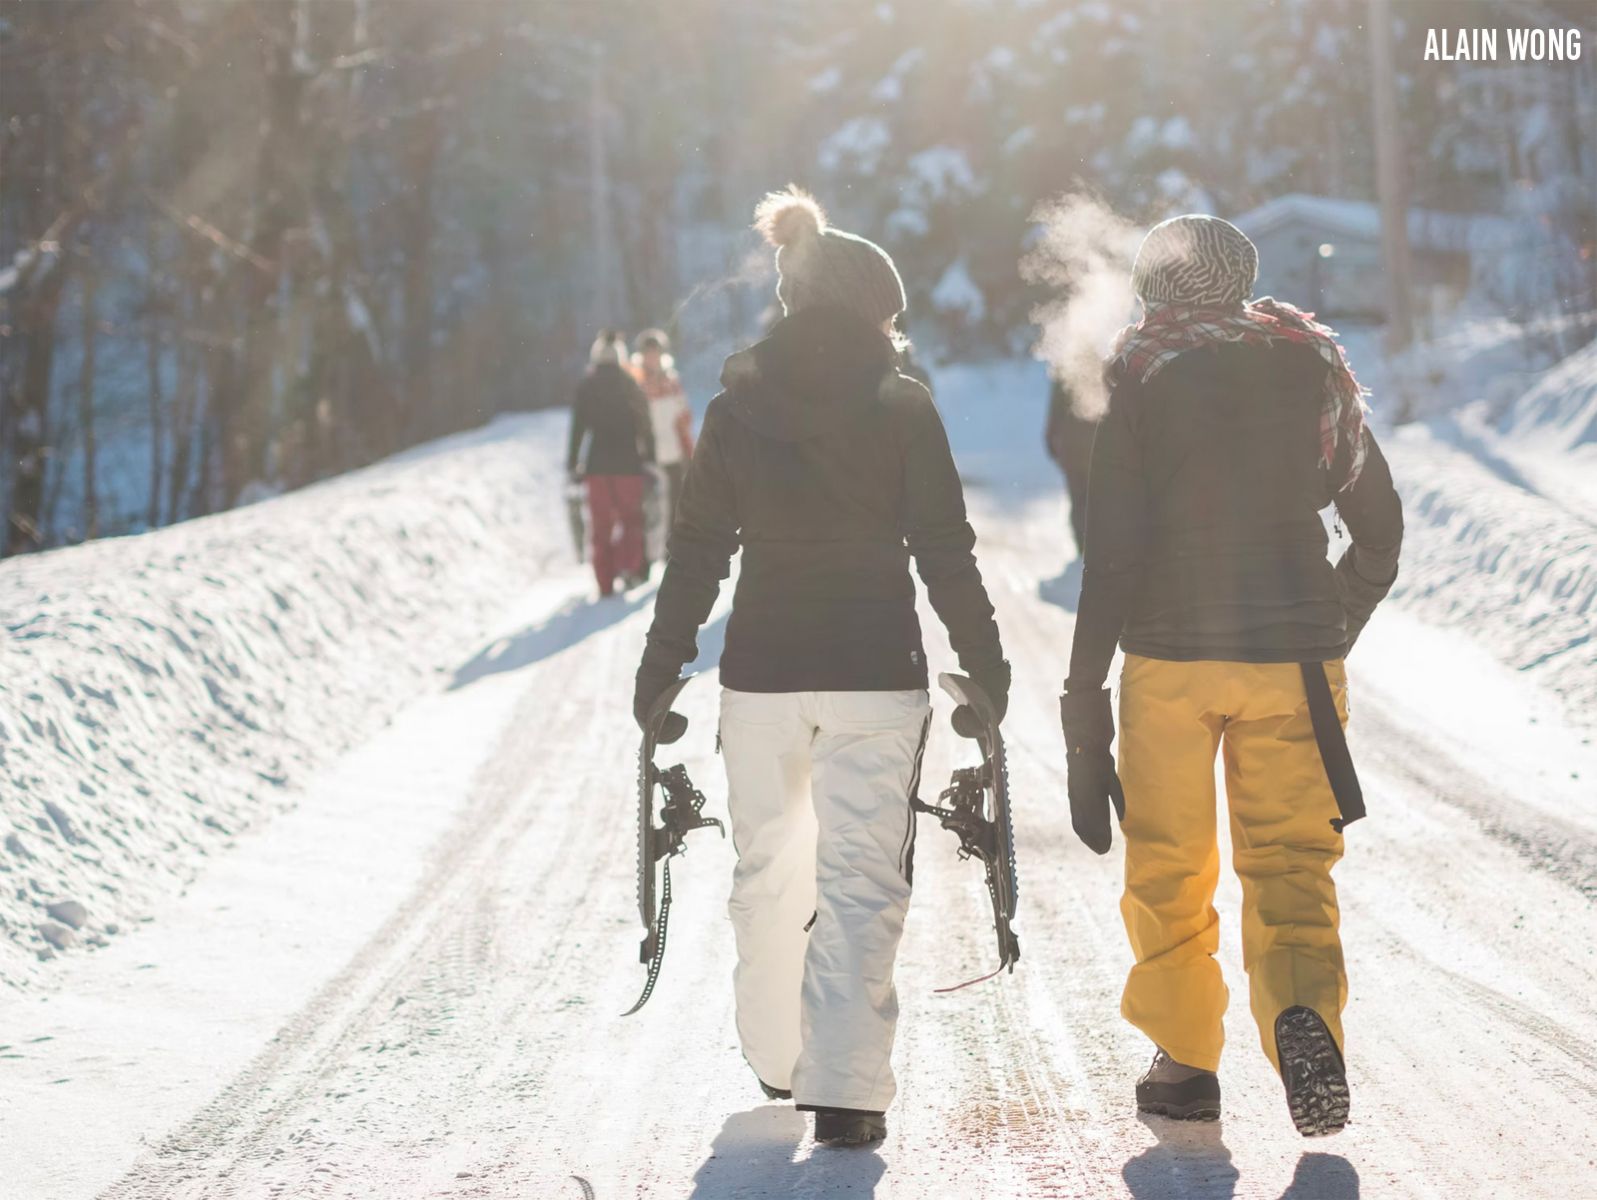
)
(1173, 721)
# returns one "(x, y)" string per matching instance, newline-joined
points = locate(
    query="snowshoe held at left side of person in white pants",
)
(681, 813)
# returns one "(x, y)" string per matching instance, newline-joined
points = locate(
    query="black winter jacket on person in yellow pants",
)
(1205, 538)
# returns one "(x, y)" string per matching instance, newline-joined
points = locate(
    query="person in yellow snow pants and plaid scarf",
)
(1230, 426)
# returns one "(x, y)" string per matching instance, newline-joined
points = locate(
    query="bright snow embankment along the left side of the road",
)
(160, 694)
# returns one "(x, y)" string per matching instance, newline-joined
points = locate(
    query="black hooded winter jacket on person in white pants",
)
(831, 471)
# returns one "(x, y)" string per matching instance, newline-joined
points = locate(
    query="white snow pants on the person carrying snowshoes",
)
(818, 789)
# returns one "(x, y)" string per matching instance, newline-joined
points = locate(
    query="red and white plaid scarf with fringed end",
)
(1170, 330)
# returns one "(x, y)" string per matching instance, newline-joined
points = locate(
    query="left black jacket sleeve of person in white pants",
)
(703, 541)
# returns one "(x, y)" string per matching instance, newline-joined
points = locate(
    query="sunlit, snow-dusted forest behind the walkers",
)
(252, 244)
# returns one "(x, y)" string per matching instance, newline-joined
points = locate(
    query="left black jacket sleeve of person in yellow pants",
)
(1117, 542)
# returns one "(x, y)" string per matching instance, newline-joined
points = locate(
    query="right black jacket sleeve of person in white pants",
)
(943, 542)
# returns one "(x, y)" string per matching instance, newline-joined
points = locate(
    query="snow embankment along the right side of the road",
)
(1500, 504)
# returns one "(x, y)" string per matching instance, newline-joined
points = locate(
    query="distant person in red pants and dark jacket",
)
(614, 442)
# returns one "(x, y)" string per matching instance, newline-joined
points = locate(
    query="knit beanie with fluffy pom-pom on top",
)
(822, 266)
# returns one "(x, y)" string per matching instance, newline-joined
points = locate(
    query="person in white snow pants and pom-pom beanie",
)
(831, 471)
